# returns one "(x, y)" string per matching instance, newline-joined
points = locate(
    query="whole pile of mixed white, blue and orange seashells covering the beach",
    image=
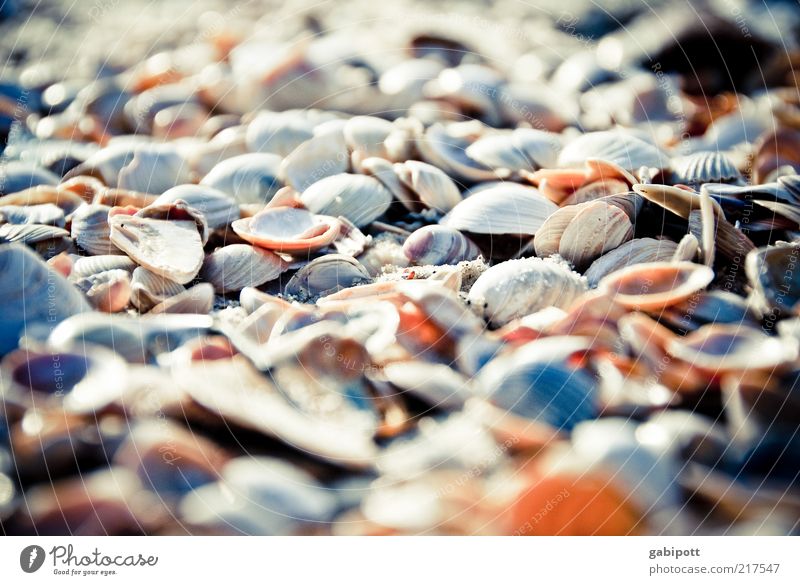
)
(354, 287)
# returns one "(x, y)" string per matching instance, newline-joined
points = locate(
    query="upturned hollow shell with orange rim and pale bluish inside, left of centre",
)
(287, 229)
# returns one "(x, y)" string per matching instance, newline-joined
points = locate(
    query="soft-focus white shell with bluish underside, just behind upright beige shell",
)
(278, 132)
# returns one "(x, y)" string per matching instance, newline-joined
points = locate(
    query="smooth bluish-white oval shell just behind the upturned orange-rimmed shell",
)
(359, 198)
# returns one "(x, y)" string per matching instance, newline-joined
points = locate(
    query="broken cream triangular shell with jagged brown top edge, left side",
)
(172, 248)
